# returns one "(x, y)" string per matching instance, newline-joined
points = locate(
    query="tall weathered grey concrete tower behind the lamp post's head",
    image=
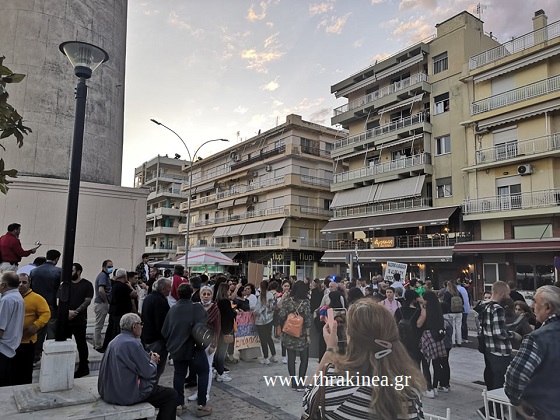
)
(30, 34)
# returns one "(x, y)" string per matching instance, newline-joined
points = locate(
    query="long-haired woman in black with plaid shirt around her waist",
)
(432, 345)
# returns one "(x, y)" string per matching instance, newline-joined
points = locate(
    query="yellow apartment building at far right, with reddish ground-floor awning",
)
(513, 166)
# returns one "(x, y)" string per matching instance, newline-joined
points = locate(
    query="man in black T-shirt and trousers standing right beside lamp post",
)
(81, 294)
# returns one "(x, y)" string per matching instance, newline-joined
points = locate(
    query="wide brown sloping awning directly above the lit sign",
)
(429, 217)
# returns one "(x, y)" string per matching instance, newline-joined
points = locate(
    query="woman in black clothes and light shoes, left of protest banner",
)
(227, 316)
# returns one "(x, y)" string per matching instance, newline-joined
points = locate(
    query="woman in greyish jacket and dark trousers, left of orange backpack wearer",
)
(264, 316)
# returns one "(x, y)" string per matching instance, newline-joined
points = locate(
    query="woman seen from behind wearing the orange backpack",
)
(297, 302)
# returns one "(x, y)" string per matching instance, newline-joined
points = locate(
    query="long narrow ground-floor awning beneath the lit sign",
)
(408, 255)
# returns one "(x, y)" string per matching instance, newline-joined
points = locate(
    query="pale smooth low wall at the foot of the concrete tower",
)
(111, 221)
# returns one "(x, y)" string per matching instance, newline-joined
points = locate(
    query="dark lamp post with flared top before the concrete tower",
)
(85, 58)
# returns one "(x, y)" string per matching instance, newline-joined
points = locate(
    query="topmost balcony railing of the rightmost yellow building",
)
(515, 45)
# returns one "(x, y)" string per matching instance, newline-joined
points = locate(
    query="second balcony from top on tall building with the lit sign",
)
(385, 132)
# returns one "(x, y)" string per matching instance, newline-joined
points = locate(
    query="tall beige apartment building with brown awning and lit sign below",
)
(398, 178)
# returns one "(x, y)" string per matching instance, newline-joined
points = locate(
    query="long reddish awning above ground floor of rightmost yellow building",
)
(489, 247)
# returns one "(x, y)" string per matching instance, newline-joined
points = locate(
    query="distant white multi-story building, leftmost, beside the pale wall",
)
(163, 176)
